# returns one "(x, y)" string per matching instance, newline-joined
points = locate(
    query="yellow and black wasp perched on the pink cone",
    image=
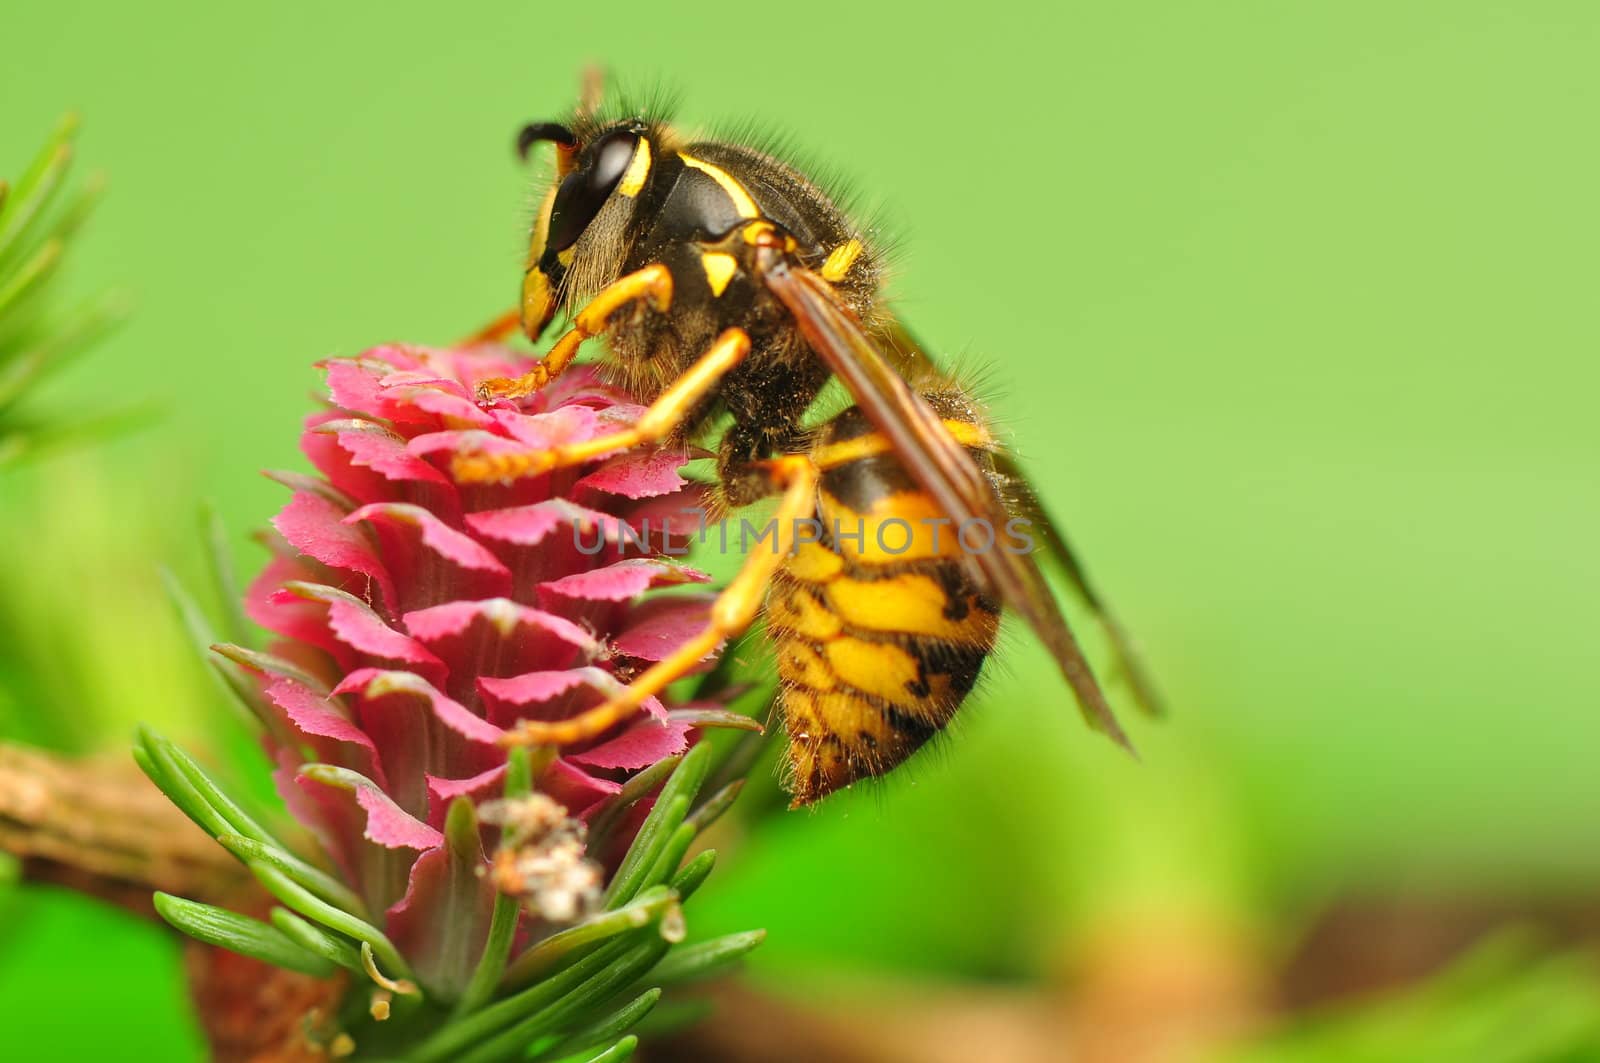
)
(730, 291)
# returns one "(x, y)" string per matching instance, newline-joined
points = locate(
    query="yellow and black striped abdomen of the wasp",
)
(878, 627)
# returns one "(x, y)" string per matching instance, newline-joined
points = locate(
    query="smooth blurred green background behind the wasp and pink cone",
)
(1289, 308)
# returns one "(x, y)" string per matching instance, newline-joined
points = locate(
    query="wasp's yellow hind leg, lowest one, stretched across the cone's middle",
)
(734, 611)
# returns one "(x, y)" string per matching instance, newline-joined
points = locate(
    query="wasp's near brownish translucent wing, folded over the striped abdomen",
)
(942, 467)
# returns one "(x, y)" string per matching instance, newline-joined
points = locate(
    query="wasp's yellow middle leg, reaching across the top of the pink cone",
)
(658, 422)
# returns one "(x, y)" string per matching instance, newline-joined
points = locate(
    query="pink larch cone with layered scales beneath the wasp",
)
(418, 619)
